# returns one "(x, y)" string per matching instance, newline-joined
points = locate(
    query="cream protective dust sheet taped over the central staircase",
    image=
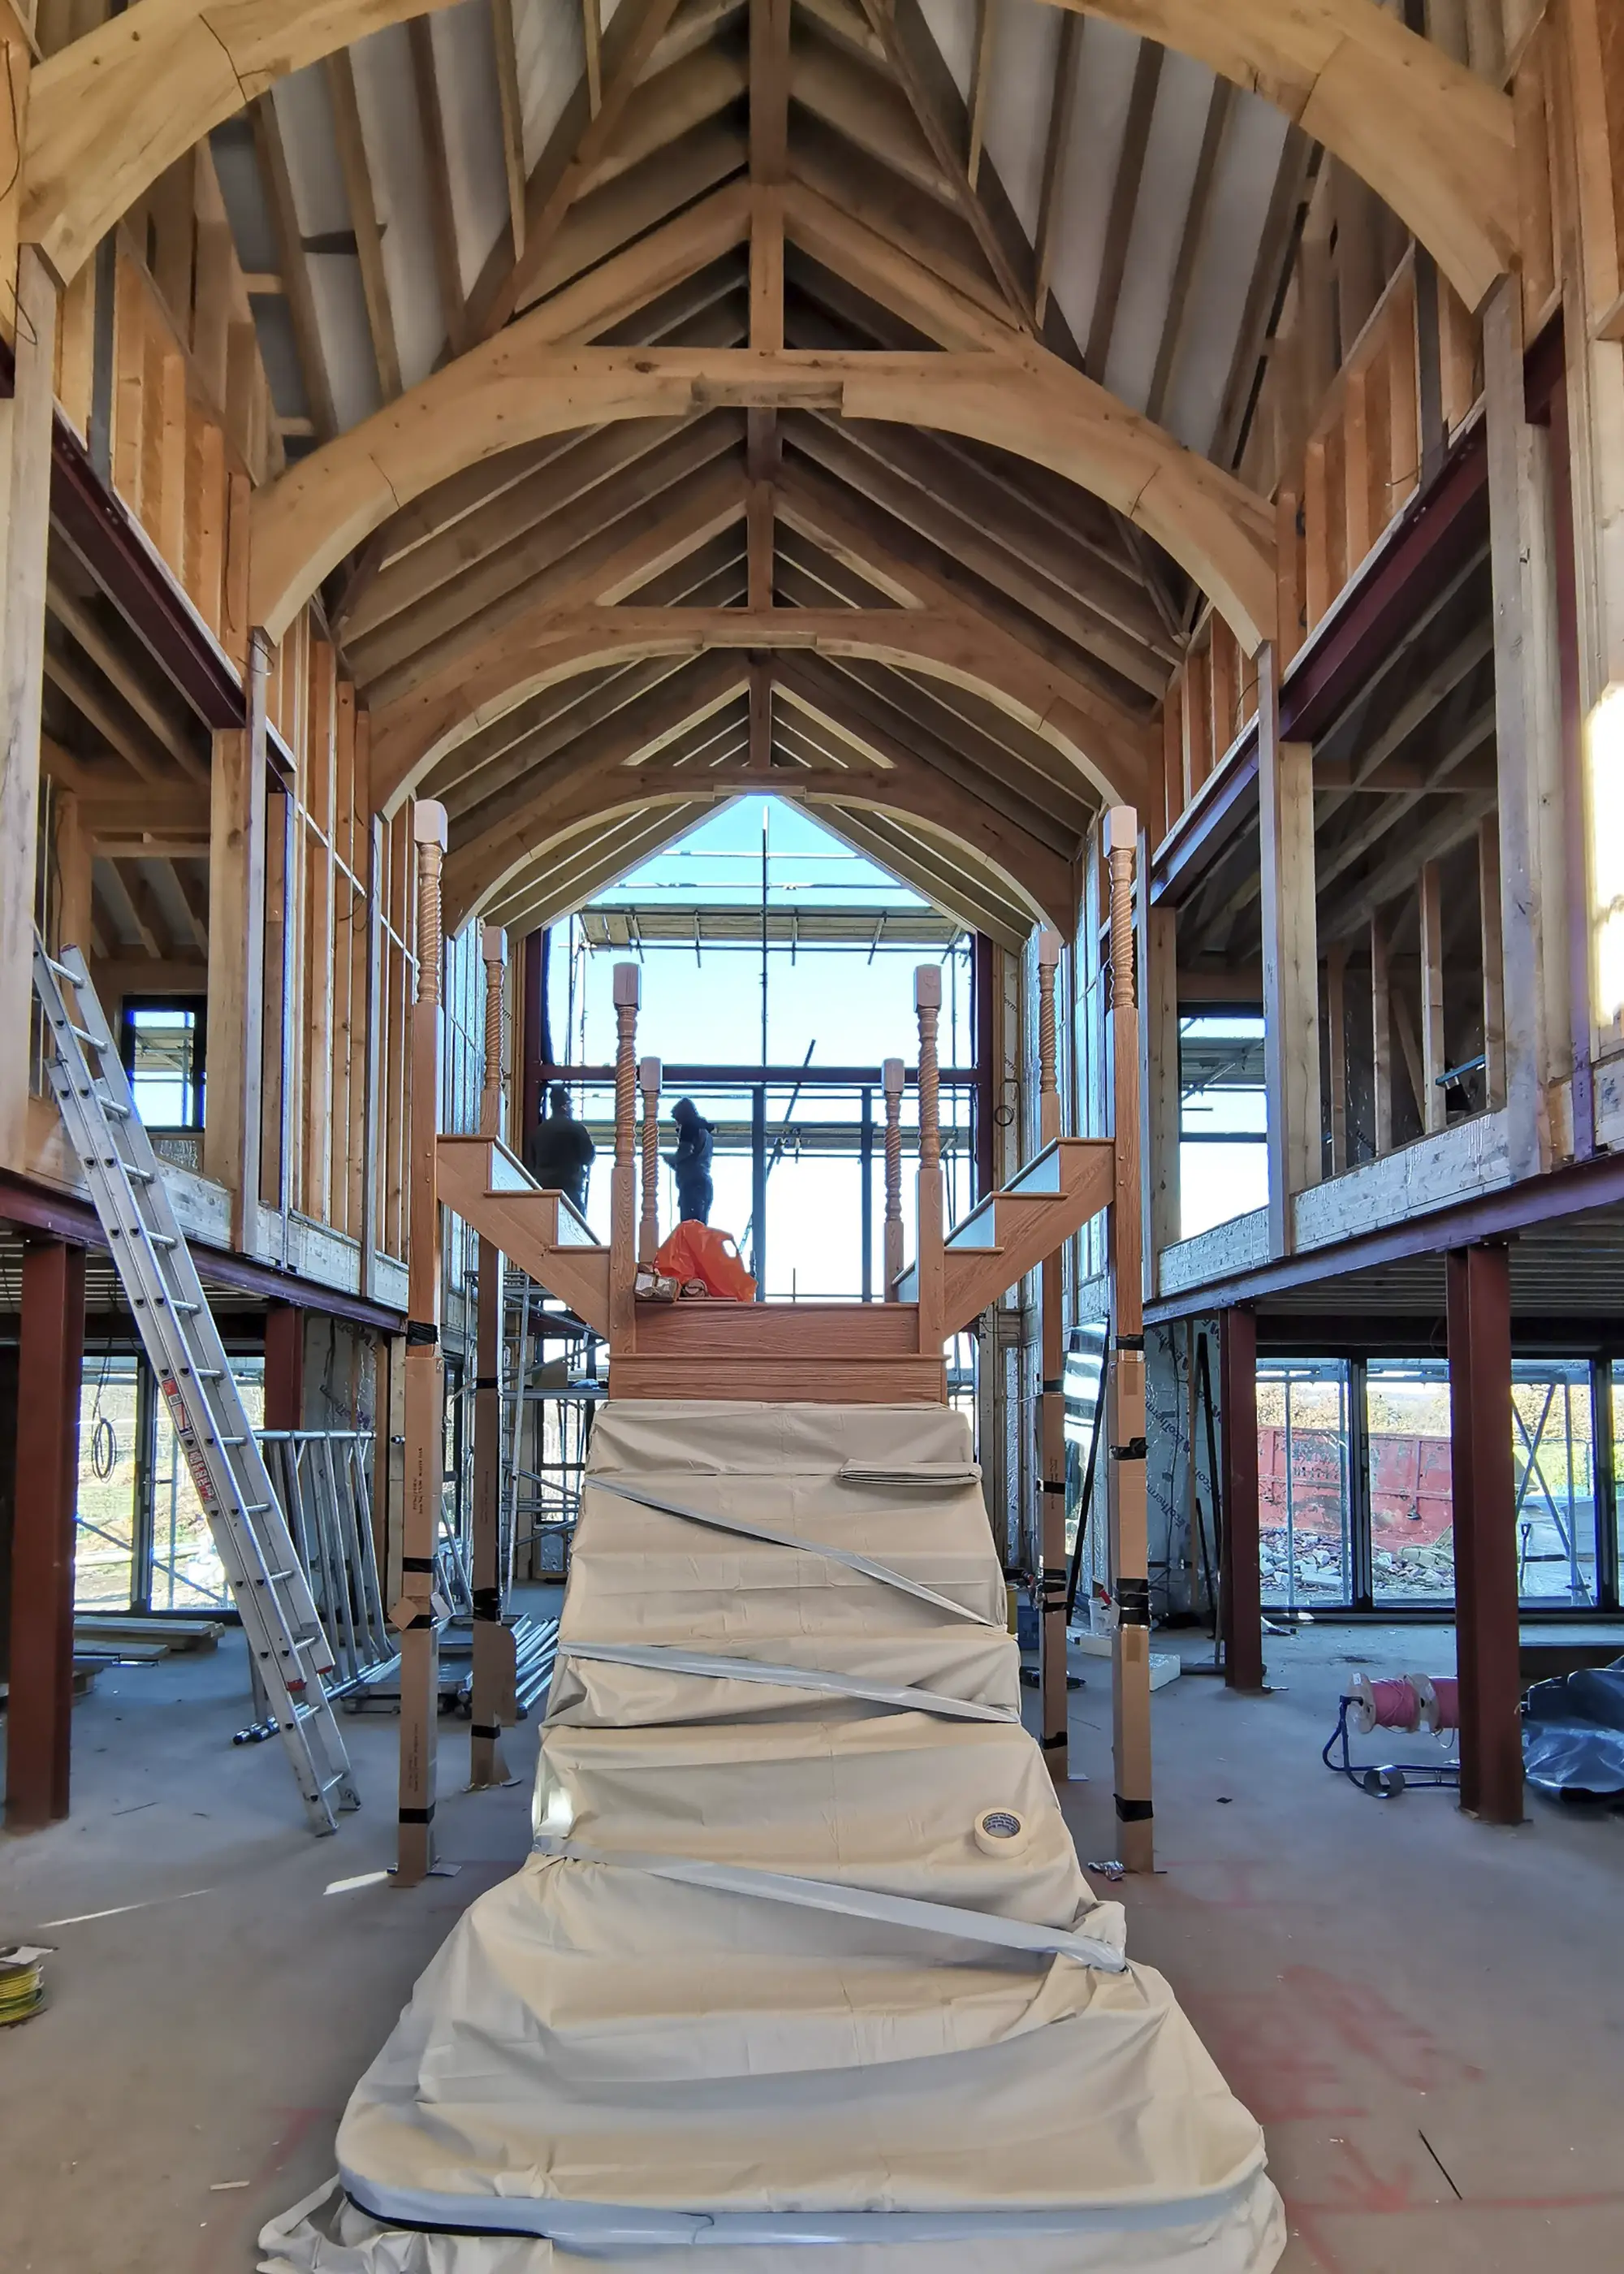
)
(804, 1961)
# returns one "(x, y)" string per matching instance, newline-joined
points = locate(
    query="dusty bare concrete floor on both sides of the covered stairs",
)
(1427, 2016)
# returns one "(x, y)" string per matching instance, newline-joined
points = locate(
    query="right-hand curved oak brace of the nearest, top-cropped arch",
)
(1430, 135)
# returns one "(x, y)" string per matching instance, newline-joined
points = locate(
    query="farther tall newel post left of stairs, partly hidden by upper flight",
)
(495, 1702)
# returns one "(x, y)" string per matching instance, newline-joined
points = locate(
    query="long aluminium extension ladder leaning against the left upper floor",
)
(272, 1593)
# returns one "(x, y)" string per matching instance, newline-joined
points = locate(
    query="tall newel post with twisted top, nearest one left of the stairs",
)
(417, 1613)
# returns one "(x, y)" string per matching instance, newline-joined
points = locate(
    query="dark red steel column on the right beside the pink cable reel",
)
(1484, 1495)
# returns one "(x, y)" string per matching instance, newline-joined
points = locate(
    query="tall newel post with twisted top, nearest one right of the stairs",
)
(1129, 1543)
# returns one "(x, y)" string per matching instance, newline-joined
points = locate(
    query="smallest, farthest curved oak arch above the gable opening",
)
(1043, 883)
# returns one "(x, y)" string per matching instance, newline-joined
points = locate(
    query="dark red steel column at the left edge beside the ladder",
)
(51, 1352)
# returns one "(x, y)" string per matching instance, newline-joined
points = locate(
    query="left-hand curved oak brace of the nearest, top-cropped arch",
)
(122, 103)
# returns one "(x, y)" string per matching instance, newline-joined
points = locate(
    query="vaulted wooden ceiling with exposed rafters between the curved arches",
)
(711, 174)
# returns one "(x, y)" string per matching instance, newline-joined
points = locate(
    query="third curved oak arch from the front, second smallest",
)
(415, 733)
